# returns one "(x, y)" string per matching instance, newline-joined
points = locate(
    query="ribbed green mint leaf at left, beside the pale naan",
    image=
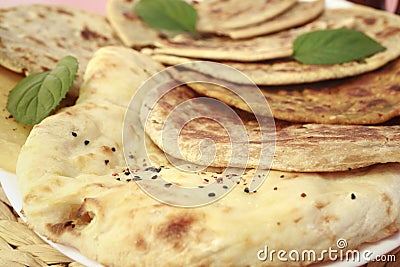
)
(37, 95)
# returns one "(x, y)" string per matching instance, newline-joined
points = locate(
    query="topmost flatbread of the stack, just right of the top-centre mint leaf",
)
(230, 14)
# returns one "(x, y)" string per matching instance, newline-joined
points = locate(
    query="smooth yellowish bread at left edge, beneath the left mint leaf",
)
(12, 134)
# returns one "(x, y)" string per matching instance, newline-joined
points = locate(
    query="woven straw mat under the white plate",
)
(21, 247)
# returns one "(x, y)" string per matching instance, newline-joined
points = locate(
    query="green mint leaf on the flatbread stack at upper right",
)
(334, 46)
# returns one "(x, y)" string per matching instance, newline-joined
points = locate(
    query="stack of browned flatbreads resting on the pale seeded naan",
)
(312, 103)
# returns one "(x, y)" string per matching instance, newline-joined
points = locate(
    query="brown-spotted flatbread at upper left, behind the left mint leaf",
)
(35, 37)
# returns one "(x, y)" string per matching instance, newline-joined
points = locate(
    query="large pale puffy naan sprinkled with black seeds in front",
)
(71, 196)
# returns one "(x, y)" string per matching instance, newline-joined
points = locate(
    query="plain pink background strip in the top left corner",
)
(97, 6)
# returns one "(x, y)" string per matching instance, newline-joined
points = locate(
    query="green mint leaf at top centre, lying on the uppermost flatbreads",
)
(171, 15)
